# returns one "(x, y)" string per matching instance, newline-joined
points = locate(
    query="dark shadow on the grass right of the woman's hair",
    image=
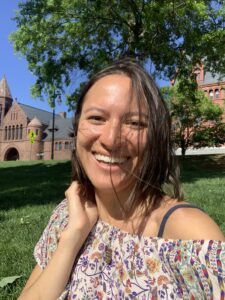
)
(201, 166)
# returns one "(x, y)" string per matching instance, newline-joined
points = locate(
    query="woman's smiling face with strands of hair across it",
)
(112, 134)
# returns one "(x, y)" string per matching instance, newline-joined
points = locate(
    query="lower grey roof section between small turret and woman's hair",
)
(63, 129)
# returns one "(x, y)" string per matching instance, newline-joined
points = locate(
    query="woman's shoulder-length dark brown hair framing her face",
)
(158, 165)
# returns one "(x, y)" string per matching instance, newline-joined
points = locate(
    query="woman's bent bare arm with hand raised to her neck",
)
(50, 282)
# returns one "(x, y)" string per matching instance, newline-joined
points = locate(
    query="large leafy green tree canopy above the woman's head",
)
(61, 38)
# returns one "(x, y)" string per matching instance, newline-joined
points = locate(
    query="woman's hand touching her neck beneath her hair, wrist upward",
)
(83, 212)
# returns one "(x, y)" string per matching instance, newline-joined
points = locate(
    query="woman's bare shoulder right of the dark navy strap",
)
(192, 223)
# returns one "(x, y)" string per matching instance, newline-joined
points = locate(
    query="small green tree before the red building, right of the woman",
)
(197, 121)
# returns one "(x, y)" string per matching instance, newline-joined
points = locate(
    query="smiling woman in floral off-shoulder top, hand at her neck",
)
(117, 235)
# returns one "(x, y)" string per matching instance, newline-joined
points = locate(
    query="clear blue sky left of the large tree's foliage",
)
(14, 67)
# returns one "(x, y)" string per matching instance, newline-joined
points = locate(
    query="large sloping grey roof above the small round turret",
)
(44, 116)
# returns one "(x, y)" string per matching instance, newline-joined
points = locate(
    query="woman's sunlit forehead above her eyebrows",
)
(114, 90)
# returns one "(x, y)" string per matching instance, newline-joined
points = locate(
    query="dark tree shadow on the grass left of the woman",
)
(35, 183)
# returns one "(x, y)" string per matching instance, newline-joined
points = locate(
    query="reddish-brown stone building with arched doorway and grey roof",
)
(19, 121)
